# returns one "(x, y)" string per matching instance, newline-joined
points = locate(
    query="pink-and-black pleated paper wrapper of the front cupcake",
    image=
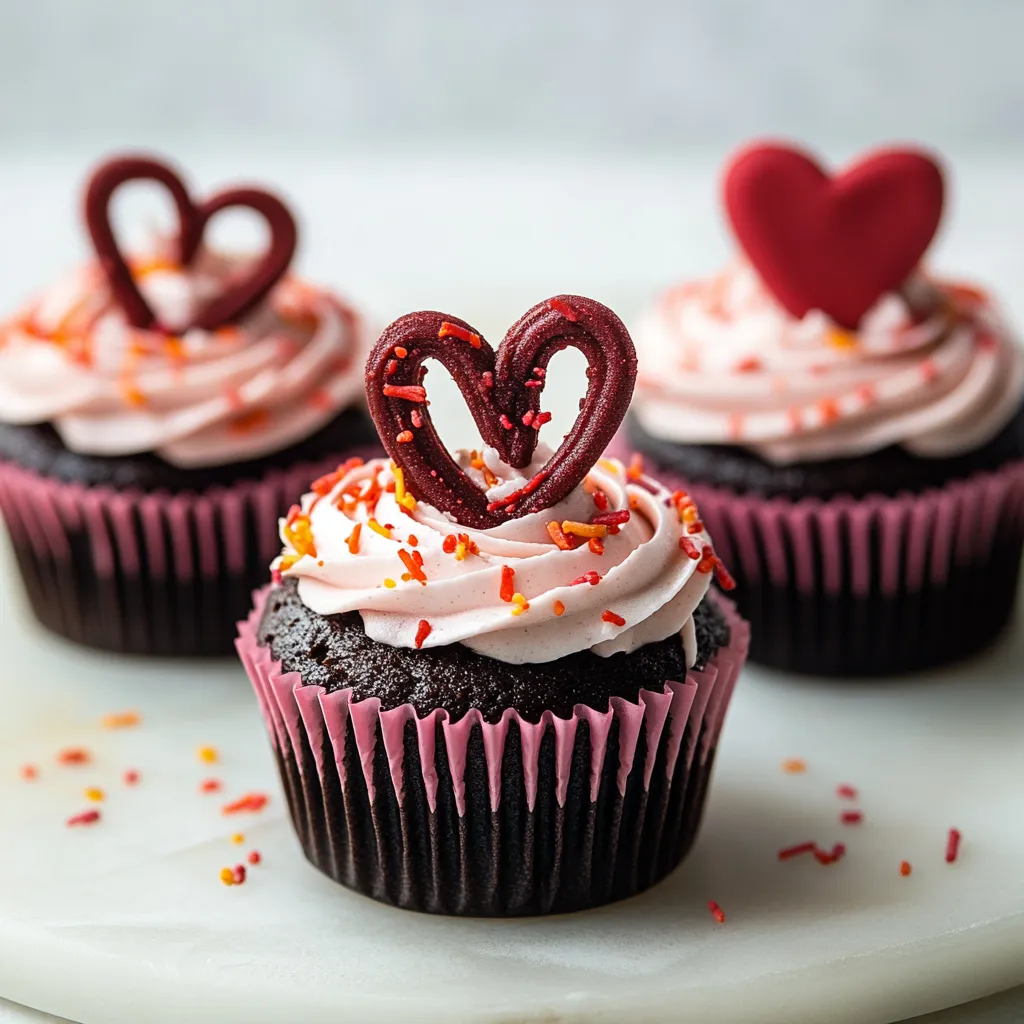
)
(486, 820)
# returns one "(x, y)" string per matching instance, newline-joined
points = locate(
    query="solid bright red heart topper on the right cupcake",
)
(833, 243)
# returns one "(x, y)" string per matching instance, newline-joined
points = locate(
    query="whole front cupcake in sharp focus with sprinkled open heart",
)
(495, 684)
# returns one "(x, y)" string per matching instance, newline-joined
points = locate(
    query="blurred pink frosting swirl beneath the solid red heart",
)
(933, 369)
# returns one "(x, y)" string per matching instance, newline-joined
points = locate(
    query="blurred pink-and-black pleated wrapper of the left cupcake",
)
(147, 574)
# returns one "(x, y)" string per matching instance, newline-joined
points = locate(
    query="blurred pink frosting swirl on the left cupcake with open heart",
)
(198, 399)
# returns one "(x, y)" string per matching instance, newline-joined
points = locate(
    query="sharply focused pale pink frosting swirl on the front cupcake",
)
(525, 591)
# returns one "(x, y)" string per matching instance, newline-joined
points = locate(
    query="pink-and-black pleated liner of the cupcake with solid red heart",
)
(873, 586)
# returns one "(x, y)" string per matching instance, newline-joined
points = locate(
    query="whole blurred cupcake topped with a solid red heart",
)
(851, 426)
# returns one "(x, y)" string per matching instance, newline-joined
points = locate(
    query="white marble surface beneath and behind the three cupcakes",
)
(136, 908)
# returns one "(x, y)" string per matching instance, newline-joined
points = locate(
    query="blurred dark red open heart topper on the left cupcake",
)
(240, 297)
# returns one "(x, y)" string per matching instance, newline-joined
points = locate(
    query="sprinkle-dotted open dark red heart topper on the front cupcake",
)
(503, 392)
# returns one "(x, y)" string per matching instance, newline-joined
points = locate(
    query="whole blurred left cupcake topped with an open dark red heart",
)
(159, 413)
